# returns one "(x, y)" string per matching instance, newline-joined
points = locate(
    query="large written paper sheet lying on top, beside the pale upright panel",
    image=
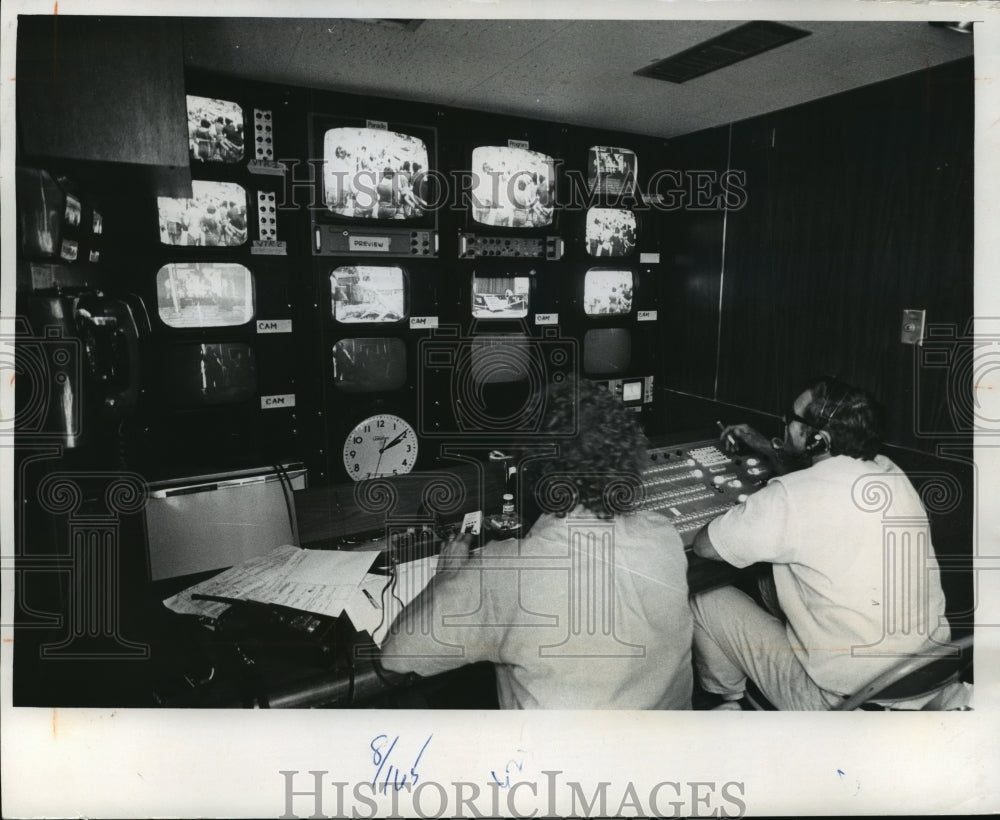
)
(320, 581)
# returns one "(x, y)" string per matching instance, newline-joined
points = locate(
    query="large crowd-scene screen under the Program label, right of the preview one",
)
(513, 187)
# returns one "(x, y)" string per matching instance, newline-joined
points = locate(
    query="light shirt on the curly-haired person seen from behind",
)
(581, 614)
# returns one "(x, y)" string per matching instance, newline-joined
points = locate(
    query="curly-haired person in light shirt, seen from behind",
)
(517, 603)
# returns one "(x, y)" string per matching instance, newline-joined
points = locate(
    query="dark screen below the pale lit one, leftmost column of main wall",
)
(198, 375)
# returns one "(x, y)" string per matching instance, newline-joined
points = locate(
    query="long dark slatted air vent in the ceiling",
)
(738, 44)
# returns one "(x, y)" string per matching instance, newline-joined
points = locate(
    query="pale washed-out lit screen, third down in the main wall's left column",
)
(204, 294)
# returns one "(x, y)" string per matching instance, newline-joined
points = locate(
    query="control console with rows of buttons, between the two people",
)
(693, 483)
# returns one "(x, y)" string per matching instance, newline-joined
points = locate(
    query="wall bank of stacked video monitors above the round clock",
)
(446, 293)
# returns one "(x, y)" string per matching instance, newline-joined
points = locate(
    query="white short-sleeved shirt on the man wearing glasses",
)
(854, 566)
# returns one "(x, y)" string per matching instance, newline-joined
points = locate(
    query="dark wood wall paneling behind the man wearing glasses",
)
(858, 207)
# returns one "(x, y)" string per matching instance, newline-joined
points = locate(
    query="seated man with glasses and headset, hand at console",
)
(853, 601)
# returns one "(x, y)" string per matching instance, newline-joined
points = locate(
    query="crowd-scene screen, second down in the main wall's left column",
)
(216, 216)
